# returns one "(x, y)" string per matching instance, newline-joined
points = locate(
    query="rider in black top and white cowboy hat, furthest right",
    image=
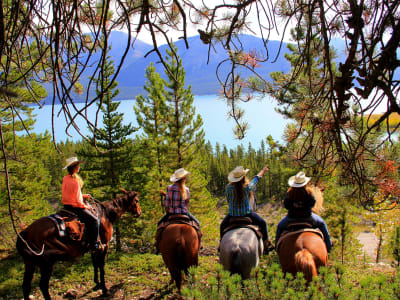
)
(299, 202)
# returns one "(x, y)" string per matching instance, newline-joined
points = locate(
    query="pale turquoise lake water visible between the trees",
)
(260, 115)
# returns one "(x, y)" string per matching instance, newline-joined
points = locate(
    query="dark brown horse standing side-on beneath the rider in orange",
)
(41, 246)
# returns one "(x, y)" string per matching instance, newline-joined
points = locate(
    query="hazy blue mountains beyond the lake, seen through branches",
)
(200, 70)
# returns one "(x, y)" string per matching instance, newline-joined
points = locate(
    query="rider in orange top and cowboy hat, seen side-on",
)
(75, 202)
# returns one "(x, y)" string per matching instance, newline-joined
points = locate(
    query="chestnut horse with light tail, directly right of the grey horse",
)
(304, 251)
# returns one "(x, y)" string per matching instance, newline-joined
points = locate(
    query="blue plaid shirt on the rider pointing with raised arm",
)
(236, 209)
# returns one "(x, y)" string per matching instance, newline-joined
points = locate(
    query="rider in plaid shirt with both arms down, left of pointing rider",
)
(176, 200)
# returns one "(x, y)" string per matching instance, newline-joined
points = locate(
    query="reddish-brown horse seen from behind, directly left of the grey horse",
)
(179, 247)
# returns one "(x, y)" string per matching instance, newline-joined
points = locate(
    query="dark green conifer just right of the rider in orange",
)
(108, 151)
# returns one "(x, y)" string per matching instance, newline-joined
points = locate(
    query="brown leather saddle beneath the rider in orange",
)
(68, 225)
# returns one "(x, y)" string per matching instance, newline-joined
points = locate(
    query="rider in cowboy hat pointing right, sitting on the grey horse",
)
(238, 192)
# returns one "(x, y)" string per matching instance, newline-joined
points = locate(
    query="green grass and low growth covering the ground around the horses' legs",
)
(144, 276)
